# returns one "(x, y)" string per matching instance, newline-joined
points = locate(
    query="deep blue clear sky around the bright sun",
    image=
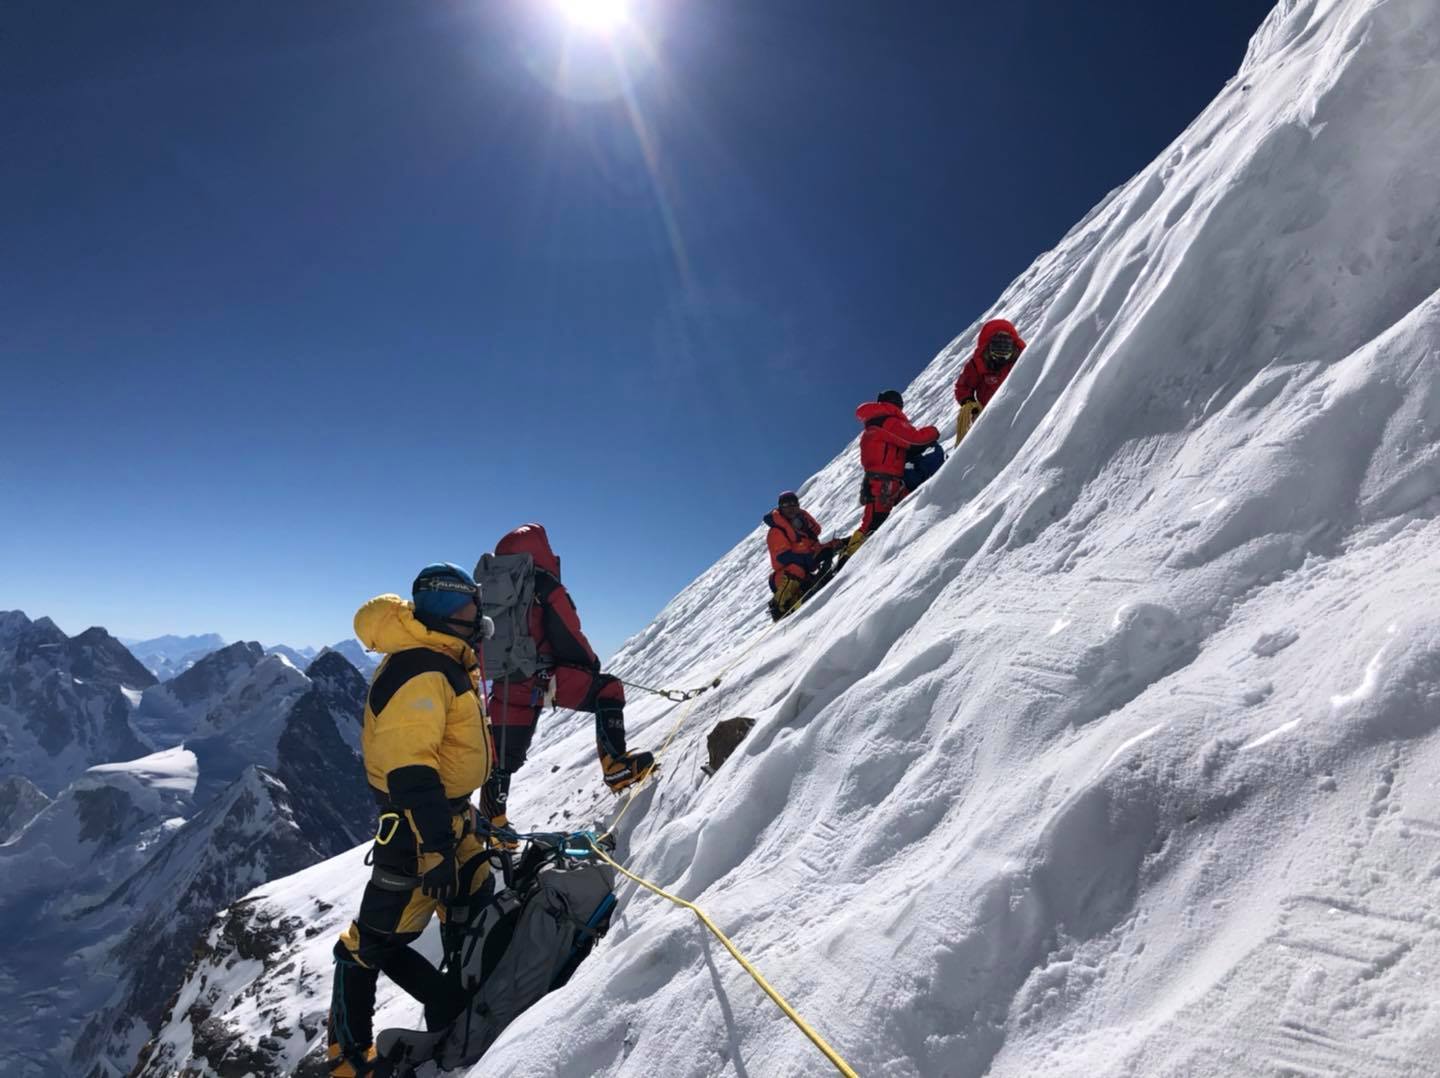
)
(299, 296)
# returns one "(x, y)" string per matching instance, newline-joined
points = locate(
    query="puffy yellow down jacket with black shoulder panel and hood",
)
(427, 717)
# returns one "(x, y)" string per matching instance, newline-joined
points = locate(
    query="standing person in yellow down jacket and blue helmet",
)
(427, 749)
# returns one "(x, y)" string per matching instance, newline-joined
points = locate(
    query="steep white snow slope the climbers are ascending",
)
(1114, 753)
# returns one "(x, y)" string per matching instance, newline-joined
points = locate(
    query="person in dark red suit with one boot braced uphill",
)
(570, 679)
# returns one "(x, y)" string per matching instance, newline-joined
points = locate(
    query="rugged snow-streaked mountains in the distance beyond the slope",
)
(133, 811)
